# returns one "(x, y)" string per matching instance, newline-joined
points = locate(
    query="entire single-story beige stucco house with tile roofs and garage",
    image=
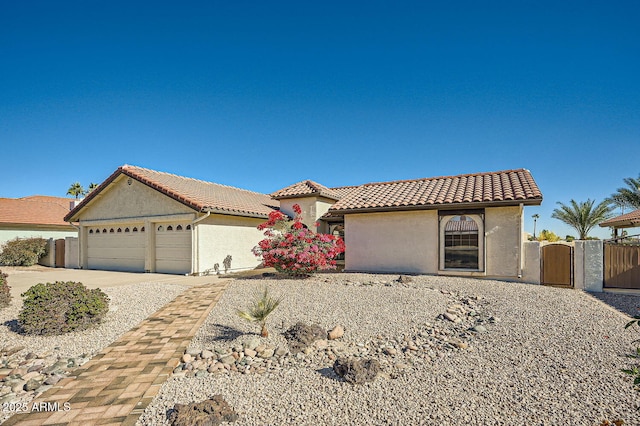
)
(144, 220)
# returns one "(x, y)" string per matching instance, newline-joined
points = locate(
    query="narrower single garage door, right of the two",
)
(173, 248)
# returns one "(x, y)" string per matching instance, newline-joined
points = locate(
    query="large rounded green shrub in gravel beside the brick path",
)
(61, 307)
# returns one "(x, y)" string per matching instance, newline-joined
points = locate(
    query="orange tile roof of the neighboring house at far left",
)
(35, 210)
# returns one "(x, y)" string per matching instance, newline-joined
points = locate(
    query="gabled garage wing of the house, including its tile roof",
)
(147, 221)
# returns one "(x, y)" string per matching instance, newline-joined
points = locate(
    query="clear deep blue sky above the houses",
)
(260, 95)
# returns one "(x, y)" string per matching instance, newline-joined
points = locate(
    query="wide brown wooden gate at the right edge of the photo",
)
(621, 266)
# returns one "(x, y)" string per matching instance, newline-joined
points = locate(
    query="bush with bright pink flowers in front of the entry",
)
(293, 249)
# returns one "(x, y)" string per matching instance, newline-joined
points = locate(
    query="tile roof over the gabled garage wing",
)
(198, 194)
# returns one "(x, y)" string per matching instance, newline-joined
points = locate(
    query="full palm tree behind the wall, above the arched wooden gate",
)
(582, 216)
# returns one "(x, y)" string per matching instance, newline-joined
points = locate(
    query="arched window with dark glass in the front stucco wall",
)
(461, 243)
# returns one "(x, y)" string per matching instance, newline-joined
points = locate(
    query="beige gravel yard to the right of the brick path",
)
(550, 356)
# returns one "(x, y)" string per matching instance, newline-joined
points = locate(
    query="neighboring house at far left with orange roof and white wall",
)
(35, 216)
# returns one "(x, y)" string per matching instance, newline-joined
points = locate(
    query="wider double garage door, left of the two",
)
(116, 248)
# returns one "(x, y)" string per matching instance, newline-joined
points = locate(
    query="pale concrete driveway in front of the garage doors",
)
(20, 279)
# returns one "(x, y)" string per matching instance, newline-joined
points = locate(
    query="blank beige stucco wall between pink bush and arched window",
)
(392, 242)
